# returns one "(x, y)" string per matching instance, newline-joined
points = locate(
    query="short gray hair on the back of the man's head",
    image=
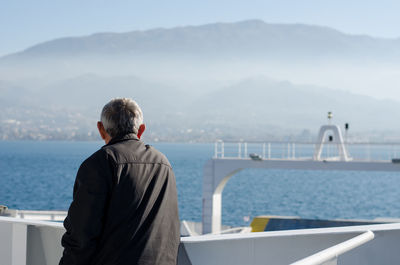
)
(121, 116)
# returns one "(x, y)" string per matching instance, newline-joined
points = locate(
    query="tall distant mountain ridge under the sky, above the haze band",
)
(241, 39)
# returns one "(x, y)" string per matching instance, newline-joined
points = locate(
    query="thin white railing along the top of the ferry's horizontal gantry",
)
(306, 151)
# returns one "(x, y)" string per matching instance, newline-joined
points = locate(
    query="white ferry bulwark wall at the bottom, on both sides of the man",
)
(24, 242)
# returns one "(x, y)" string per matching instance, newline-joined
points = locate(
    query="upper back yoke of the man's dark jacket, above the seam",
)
(135, 152)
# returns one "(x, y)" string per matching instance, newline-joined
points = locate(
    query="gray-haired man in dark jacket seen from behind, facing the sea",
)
(124, 208)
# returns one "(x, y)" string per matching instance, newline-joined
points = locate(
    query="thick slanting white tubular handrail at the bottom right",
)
(330, 255)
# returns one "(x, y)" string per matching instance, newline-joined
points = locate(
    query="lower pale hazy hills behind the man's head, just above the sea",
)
(256, 108)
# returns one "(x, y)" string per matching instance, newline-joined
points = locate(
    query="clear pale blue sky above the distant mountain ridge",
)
(24, 23)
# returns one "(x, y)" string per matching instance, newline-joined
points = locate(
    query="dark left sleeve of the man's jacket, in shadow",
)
(84, 222)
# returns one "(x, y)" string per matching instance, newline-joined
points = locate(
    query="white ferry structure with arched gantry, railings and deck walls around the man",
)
(33, 237)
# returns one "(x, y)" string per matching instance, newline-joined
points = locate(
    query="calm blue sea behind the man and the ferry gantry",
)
(40, 176)
